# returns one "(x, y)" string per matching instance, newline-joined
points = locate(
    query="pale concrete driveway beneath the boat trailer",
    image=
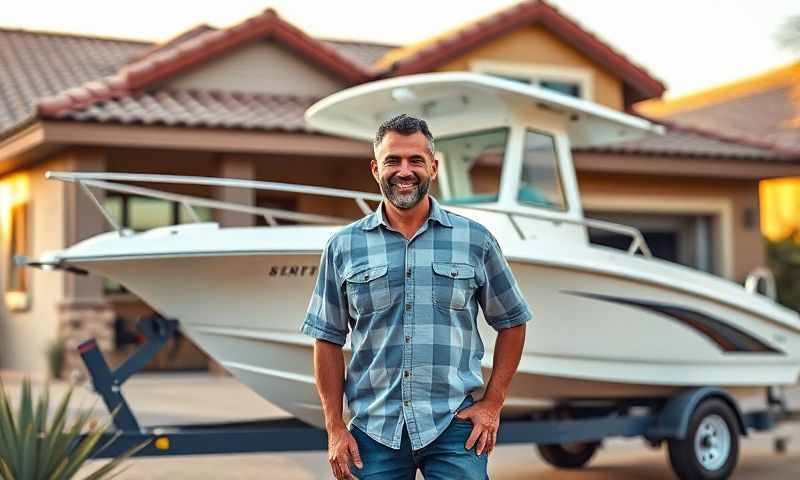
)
(200, 398)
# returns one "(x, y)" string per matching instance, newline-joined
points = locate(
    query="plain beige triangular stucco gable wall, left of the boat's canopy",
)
(261, 66)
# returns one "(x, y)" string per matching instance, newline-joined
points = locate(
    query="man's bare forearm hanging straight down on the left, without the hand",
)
(329, 375)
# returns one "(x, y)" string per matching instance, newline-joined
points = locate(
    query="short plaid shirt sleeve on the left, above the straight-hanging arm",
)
(327, 317)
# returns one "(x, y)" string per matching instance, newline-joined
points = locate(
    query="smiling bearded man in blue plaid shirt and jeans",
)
(406, 282)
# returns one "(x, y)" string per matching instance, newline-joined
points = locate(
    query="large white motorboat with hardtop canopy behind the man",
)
(607, 323)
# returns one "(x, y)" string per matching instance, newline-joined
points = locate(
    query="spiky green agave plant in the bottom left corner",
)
(33, 448)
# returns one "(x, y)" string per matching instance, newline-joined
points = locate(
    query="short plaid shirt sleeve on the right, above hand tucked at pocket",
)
(500, 297)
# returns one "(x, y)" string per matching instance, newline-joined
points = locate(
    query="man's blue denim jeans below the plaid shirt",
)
(443, 459)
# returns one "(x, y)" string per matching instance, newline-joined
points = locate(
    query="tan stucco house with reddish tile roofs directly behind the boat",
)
(229, 102)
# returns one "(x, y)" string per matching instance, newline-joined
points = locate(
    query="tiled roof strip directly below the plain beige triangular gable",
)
(200, 108)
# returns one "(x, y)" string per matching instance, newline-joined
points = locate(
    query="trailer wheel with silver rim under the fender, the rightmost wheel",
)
(710, 450)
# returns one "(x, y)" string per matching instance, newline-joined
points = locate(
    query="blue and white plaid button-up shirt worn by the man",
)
(411, 308)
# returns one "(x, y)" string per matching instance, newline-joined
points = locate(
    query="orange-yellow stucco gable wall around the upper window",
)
(535, 45)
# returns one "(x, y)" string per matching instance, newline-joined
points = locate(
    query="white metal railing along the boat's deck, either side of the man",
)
(111, 181)
